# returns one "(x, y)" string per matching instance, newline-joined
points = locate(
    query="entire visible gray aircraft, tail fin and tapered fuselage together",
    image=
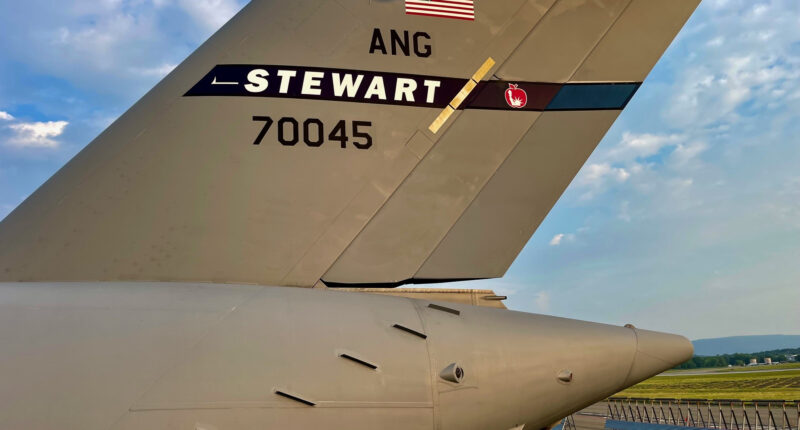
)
(220, 197)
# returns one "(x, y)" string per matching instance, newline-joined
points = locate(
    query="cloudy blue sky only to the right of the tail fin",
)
(711, 150)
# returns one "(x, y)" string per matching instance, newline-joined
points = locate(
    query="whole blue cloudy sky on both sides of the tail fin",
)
(685, 219)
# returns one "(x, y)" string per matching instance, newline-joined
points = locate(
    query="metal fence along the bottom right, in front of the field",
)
(710, 414)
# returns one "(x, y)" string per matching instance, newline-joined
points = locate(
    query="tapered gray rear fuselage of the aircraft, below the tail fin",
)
(201, 356)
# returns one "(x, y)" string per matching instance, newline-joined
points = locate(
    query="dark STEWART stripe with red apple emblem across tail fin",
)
(359, 86)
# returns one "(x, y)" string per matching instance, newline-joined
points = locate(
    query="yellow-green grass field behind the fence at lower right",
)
(723, 385)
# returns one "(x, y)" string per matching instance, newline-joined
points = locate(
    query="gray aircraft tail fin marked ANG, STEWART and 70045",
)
(345, 142)
